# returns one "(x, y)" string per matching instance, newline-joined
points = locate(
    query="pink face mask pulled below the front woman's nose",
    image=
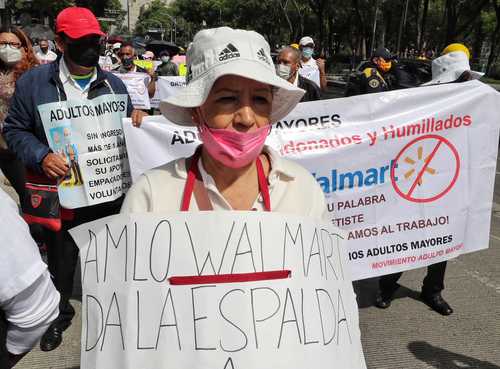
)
(232, 148)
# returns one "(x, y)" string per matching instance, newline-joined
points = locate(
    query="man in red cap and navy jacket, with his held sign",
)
(71, 95)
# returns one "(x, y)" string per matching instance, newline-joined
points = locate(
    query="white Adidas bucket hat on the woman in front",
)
(224, 51)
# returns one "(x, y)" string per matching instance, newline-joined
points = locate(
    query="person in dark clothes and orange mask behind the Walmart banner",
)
(379, 75)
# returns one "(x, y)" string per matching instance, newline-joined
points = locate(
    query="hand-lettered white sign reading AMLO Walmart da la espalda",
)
(246, 290)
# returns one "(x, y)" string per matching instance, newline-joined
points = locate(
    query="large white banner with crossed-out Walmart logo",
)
(408, 173)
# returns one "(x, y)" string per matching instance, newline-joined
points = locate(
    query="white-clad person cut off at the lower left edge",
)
(28, 299)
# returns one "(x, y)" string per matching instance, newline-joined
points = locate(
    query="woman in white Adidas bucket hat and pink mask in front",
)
(232, 96)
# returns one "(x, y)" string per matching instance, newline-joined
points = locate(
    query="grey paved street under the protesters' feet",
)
(406, 336)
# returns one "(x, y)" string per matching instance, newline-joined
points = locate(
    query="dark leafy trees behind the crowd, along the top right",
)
(355, 26)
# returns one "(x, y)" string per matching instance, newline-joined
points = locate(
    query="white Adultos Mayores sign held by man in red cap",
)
(89, 134)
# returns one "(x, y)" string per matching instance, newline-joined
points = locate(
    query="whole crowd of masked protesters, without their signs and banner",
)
(232, 103)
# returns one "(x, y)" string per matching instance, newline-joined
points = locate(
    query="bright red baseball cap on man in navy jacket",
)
(77, 22)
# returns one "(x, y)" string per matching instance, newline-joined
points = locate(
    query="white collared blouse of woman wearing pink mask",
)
(291, 187)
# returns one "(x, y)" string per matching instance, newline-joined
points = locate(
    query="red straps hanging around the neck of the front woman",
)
(194, 184)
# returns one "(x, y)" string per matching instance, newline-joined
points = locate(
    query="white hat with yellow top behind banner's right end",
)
(449, 67)
